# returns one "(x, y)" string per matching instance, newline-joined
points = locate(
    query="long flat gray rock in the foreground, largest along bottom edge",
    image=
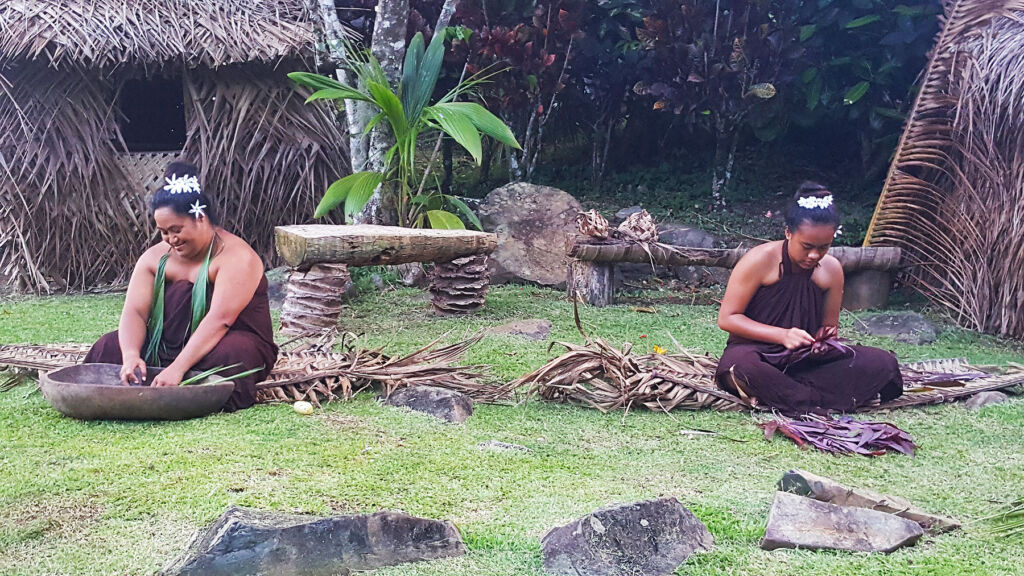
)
(248, 542)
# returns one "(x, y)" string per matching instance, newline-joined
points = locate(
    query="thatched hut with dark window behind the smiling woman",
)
(98, 96)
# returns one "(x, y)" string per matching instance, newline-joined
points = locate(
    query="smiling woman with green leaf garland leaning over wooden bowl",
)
(197, 260)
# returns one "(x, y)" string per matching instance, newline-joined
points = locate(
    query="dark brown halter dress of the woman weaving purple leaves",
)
(835, 381)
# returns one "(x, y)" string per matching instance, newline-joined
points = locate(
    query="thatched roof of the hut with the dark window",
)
(102, 33)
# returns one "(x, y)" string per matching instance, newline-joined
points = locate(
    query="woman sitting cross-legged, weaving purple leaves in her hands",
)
(784, 298)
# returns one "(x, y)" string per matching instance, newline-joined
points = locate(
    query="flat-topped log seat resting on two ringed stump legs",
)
(305, 245)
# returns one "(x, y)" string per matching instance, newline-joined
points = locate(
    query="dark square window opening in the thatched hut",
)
(153, 114)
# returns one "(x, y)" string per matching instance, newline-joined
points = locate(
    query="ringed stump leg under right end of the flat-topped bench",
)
(459, 286)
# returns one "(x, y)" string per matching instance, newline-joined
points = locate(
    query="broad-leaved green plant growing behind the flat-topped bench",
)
(407, 112)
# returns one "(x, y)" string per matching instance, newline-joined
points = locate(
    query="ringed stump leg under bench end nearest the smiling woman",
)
(314, 300)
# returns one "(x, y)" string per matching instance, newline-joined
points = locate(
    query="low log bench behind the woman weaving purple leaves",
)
(591, 272)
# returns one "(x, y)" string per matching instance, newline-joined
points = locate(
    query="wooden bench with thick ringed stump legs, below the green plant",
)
(459, 279)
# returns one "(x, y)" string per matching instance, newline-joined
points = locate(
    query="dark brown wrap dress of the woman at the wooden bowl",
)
(249, 342)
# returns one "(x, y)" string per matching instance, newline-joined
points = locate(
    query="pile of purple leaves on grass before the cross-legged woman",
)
(841, 436)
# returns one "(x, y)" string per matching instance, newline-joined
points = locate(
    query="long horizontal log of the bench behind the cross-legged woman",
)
(852, 259)
